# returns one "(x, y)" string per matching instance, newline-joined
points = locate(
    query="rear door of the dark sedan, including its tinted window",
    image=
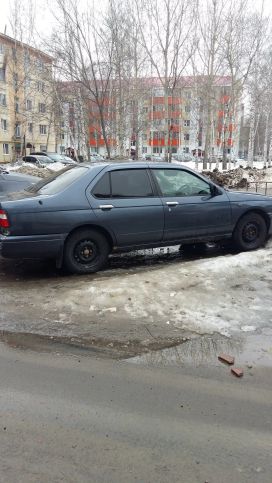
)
(124, 202)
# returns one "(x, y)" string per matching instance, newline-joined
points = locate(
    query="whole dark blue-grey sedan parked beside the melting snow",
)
(80, 215)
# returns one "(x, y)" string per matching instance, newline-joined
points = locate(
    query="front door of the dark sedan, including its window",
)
(190, 207)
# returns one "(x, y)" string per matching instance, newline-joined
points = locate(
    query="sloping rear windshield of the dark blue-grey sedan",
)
(58, 182)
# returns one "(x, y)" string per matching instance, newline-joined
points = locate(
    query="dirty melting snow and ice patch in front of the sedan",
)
(225, 294)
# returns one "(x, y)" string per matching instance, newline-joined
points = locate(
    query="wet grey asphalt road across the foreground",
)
(80, 419)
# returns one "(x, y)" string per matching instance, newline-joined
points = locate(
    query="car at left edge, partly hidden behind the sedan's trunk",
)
(12, 181)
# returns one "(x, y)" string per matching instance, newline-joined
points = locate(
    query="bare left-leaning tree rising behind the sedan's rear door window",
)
(84, 50)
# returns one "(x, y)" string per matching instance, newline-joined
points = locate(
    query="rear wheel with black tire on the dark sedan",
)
(86, 251)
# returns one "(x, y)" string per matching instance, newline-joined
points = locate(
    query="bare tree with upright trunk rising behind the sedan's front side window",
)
(168, 38)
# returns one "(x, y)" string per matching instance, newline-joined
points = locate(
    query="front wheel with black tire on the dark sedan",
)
(250, 232)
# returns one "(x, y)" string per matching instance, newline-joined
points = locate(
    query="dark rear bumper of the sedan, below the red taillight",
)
(34, 246)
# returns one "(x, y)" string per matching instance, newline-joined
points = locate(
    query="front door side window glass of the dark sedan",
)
(174, 182)
